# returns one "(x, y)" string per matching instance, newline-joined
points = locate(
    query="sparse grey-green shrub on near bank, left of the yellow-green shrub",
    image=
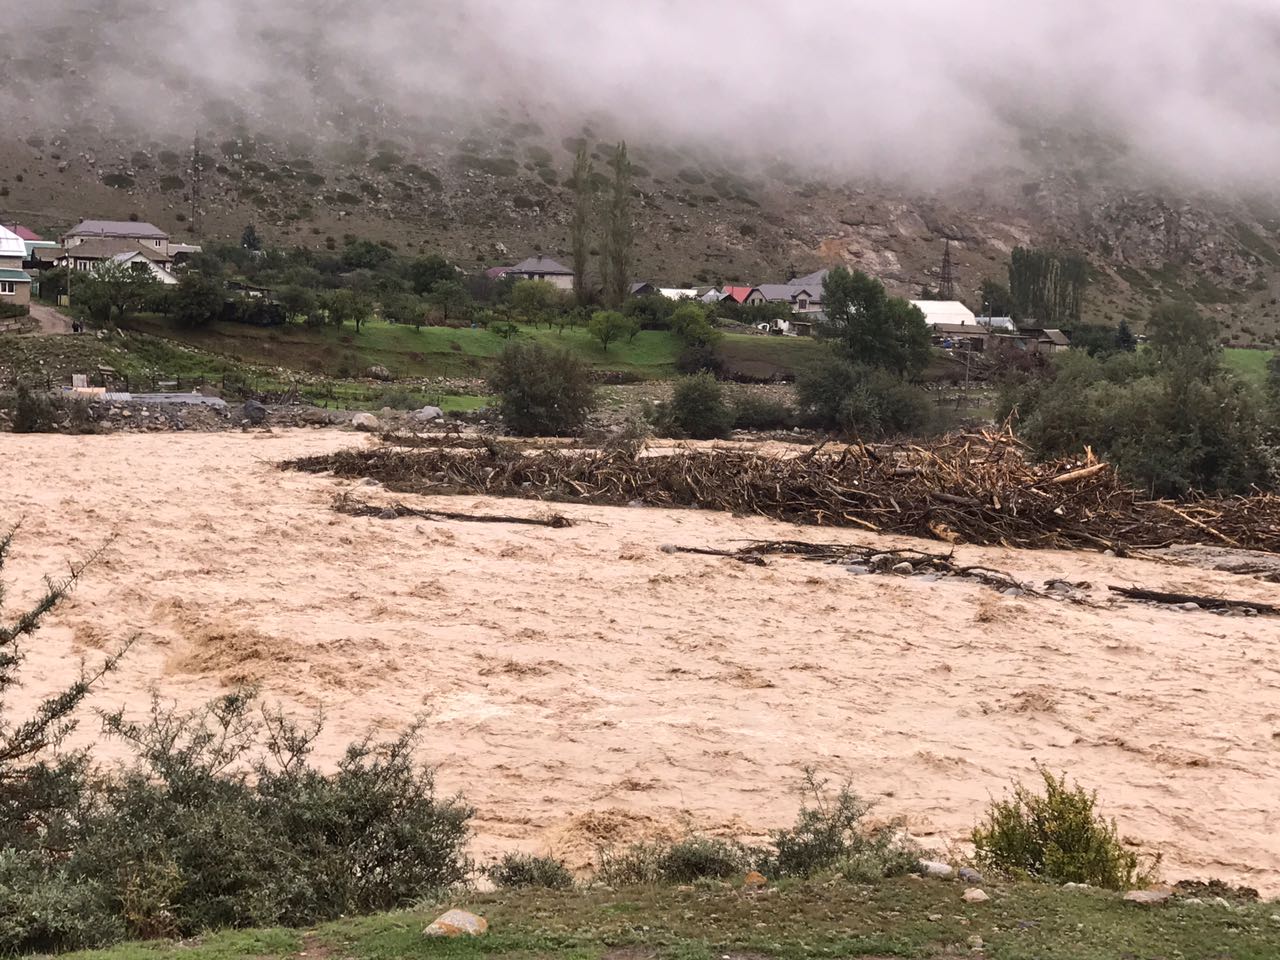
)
(831, 835)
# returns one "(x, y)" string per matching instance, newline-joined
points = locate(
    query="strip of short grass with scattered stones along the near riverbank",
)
(904, 918)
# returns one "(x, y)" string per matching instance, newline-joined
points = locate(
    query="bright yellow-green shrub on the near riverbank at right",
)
(1058, 836)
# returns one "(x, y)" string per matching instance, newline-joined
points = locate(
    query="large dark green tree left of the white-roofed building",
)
(874, 328)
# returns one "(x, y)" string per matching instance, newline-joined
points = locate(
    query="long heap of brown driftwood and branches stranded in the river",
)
(966, 488)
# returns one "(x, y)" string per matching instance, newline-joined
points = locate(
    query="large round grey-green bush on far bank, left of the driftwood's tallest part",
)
(542, 391)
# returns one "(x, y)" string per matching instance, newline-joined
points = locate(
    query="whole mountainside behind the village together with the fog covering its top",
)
(769, 136)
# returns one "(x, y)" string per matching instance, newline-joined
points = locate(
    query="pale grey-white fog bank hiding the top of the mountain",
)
(924, 89)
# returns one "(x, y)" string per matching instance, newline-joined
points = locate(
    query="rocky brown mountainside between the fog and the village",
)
(496, 191)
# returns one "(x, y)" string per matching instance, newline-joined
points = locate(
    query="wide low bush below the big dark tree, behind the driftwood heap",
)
(861, 401)
